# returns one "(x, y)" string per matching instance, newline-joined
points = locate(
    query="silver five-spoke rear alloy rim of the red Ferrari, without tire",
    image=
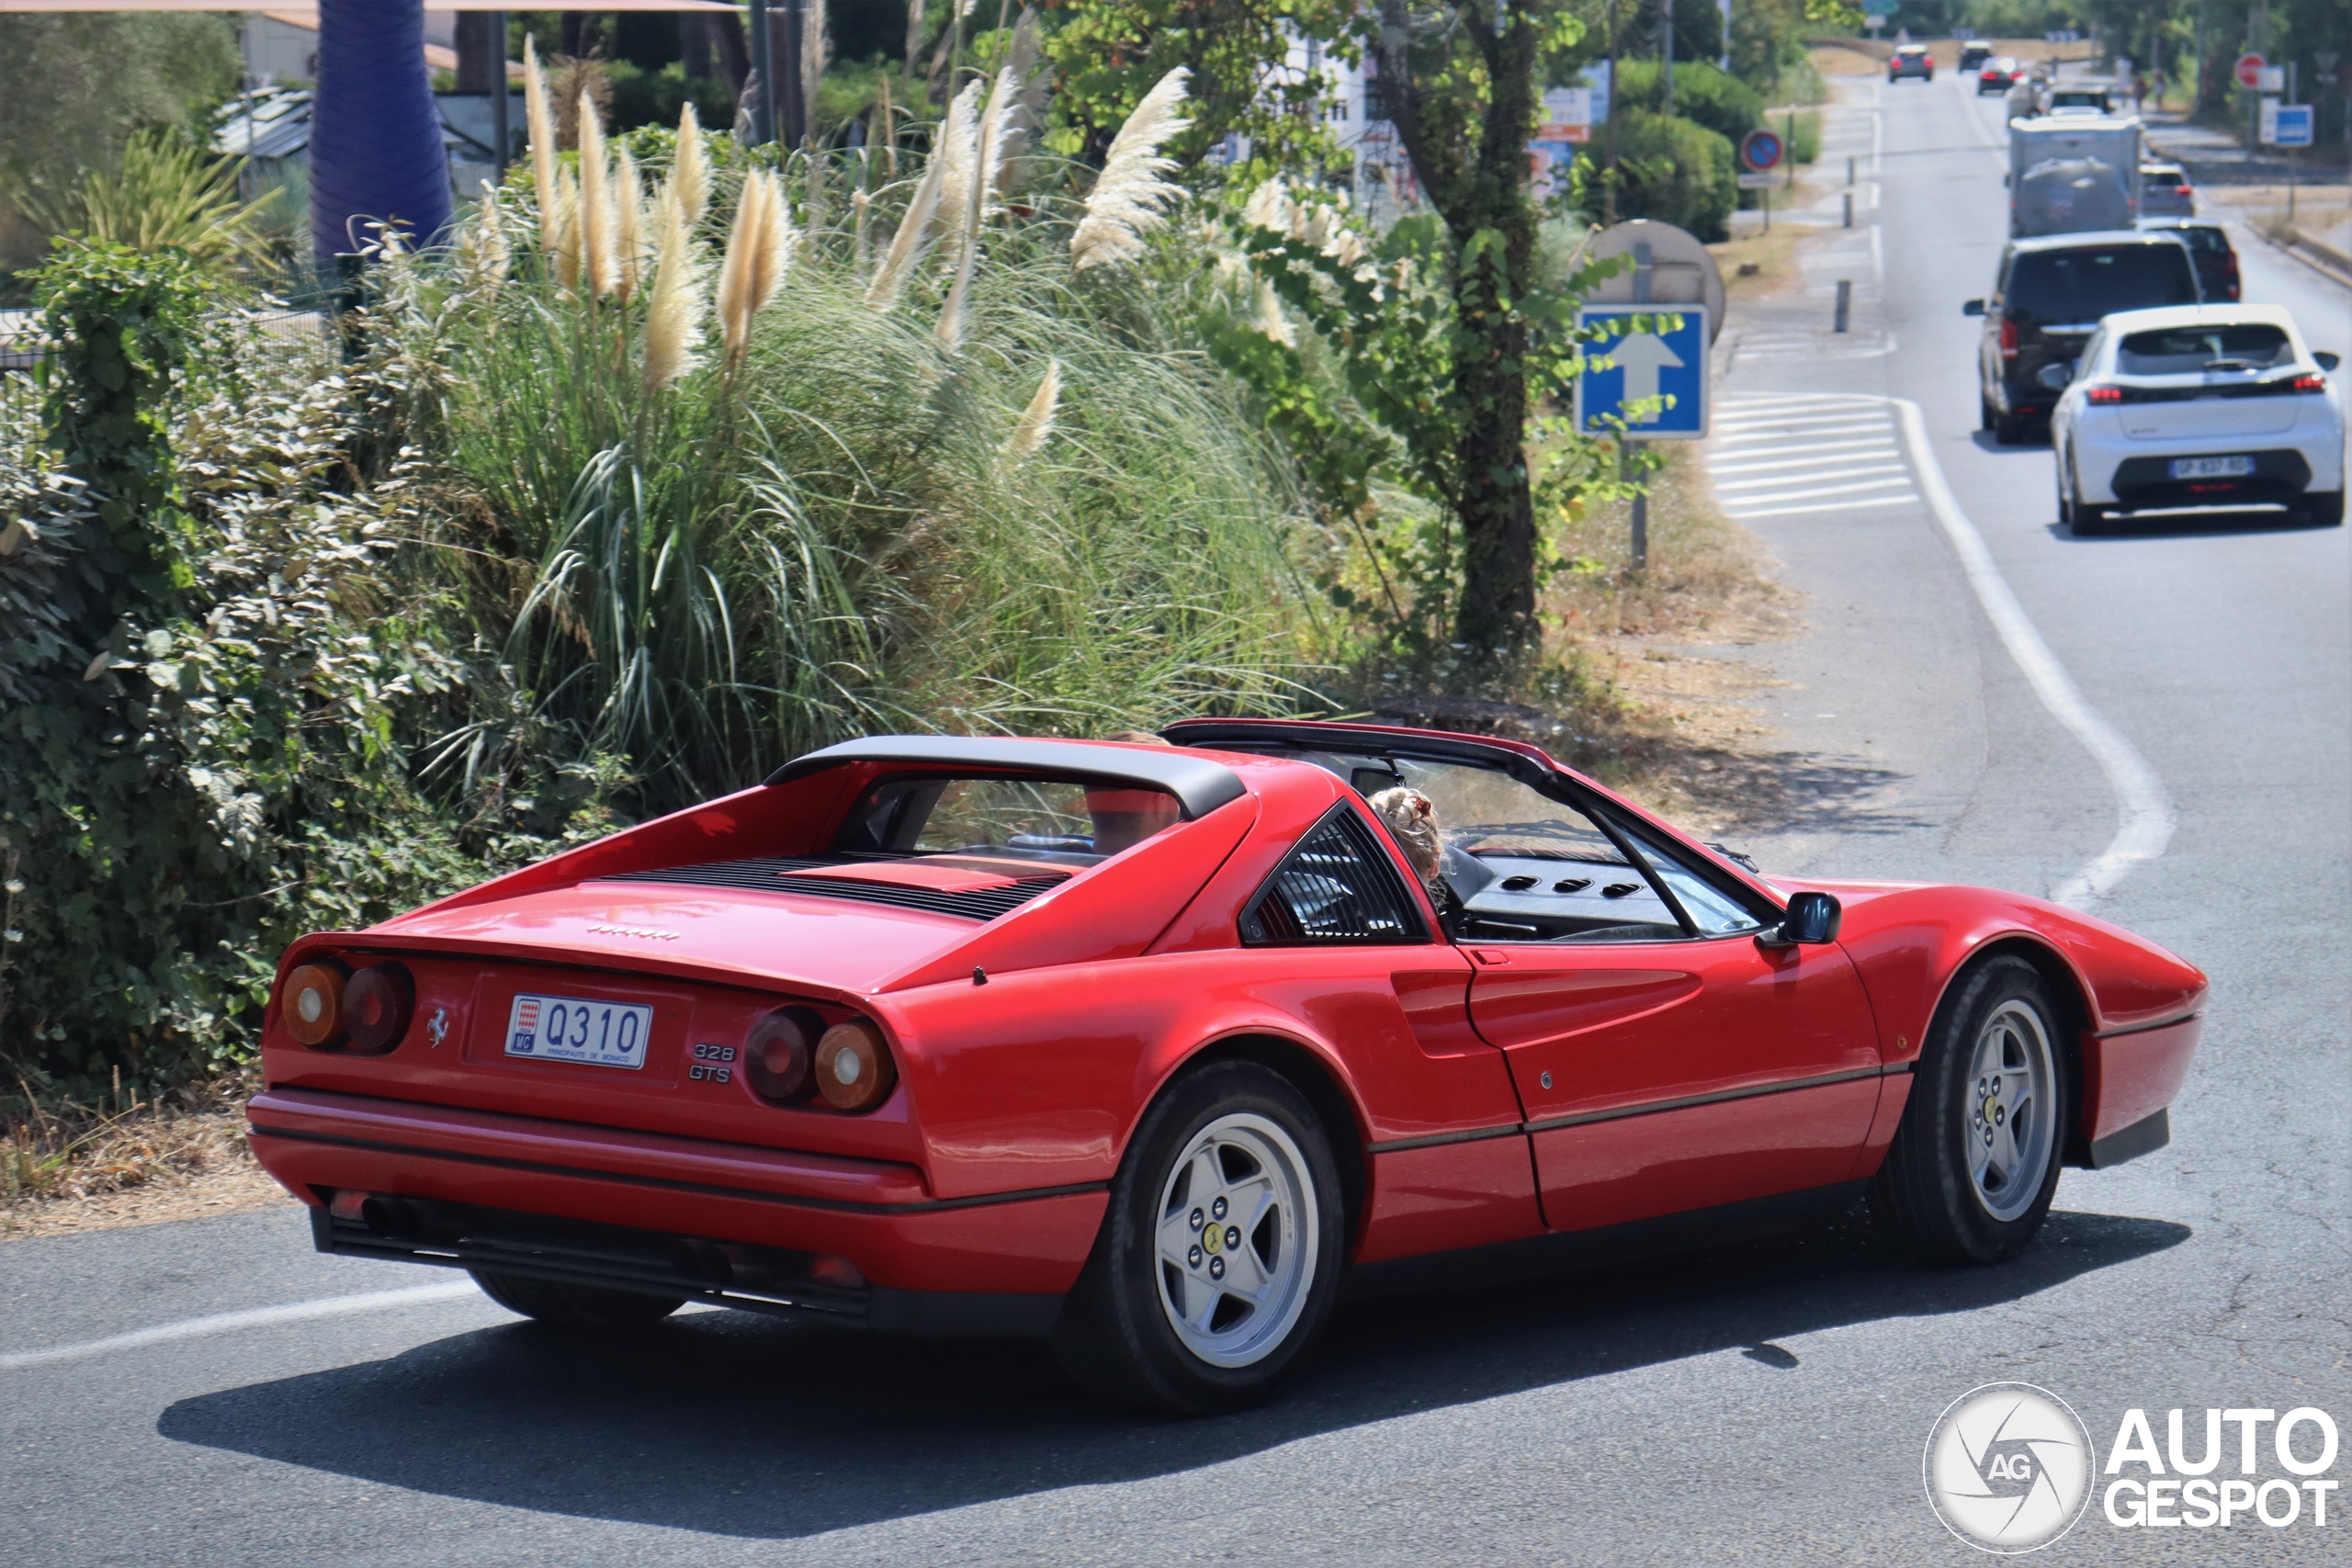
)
(1238, 1240)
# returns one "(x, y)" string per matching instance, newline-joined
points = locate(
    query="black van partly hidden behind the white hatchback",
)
(2047, 302)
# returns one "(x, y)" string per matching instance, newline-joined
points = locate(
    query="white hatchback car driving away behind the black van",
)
(2198, 406)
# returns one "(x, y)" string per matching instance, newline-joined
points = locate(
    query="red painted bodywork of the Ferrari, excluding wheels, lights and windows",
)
(1483, 1092)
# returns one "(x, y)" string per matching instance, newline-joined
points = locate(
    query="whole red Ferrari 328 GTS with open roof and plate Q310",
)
(1161, 1050)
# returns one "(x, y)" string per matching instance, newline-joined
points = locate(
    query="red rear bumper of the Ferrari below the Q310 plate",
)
(874, 1214)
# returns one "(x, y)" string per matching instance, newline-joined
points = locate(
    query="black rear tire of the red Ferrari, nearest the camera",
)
(1116, 1334)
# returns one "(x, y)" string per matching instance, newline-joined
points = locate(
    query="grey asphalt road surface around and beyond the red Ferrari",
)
(1758, 1405)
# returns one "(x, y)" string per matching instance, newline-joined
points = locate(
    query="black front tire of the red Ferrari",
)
(1925, 1198)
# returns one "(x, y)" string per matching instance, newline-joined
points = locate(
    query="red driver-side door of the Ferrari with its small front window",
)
(1678, 1068)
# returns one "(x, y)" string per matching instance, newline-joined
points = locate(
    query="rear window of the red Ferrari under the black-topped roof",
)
(1060, 822)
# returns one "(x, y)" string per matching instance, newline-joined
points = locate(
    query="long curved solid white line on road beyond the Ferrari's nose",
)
(2144, 810)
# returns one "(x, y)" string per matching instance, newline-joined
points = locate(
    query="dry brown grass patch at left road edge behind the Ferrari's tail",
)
(81, 1167)
